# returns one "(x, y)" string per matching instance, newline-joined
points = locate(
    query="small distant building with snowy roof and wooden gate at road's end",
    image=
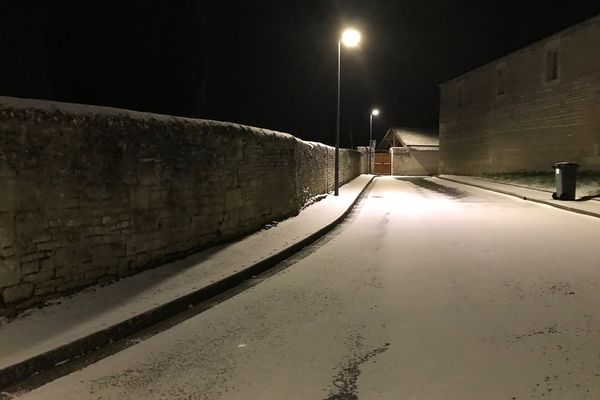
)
(410, 151)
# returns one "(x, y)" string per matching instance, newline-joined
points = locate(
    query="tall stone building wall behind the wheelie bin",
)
(535, 122)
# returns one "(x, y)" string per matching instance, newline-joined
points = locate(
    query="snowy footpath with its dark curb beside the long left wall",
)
(68, 327)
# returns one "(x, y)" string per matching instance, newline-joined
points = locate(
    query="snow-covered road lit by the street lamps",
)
(430, 290)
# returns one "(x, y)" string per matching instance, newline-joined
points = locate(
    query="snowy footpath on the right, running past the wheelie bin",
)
(589, 207)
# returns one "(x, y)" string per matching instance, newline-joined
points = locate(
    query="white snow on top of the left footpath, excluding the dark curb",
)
(72, 318)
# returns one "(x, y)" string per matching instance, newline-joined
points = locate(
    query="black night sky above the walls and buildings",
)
(265, 63)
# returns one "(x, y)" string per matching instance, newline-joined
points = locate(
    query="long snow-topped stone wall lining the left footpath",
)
(90, 194)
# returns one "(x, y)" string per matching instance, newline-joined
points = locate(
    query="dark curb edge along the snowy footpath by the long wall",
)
(13, 374)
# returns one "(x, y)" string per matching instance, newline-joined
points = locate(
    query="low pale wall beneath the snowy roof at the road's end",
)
(414, 162)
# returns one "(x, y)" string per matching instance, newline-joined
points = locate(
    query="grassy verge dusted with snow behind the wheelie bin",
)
(588, 183)
